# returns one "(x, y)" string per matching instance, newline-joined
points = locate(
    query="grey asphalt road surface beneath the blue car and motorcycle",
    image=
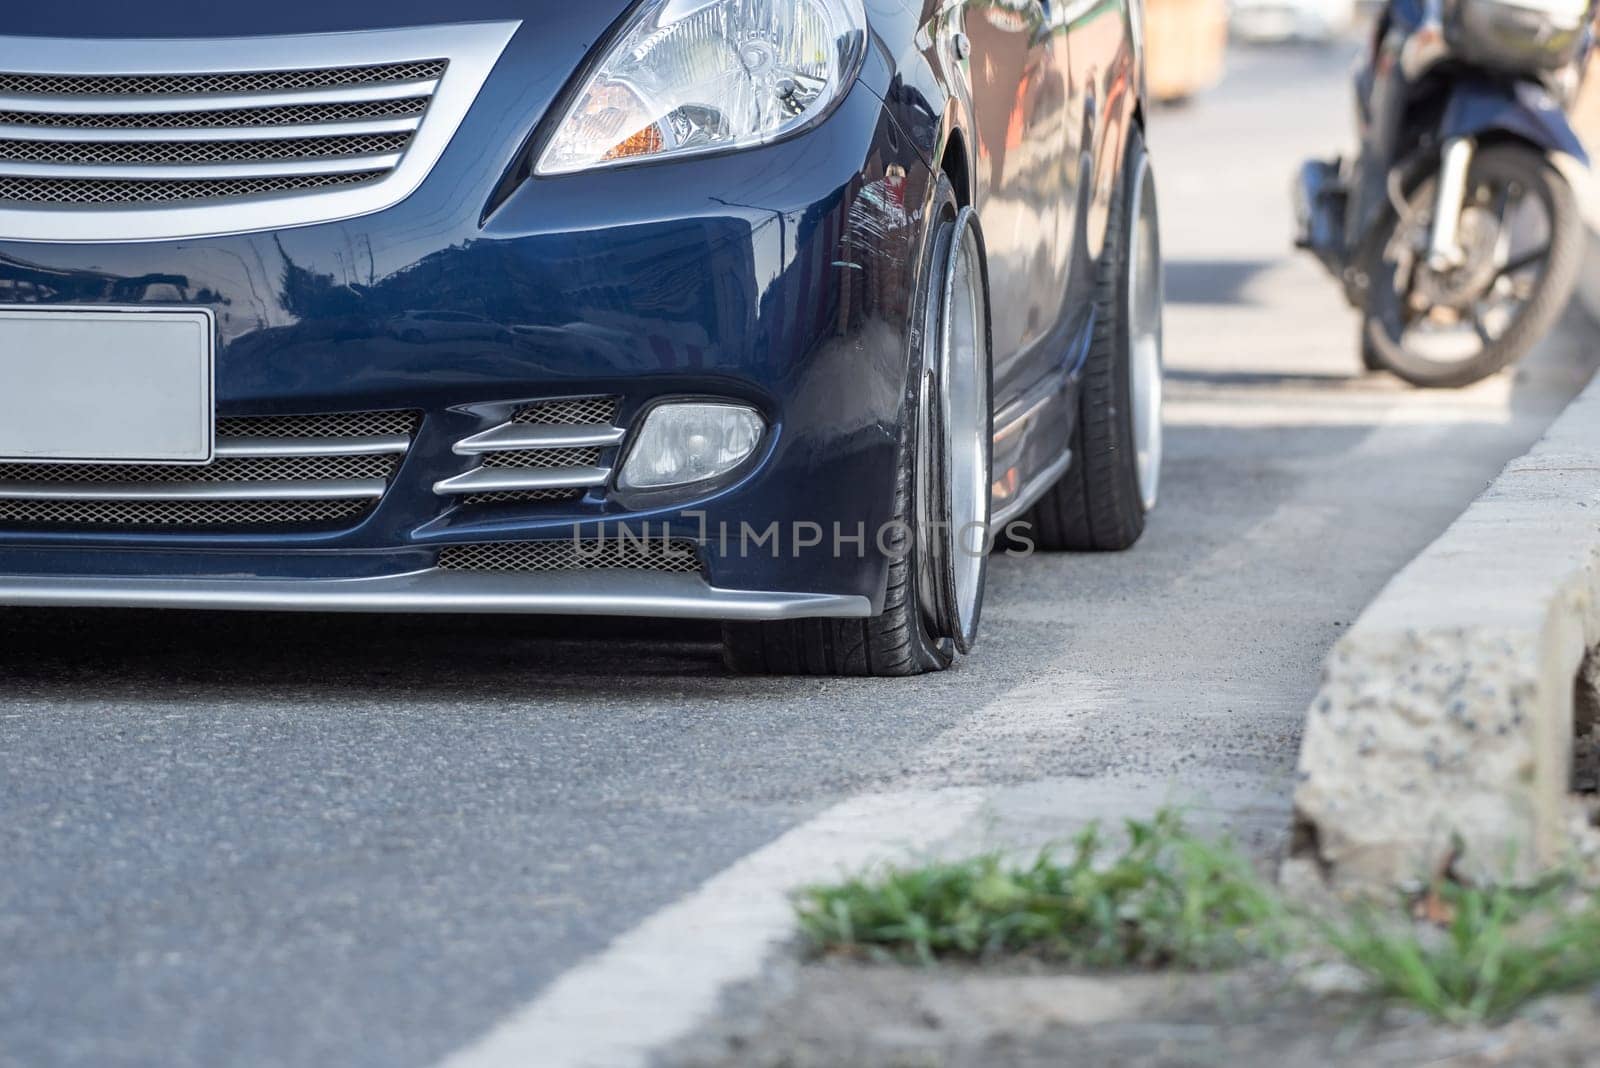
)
(362, 842)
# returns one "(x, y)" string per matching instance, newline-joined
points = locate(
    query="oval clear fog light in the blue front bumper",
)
(689, 444)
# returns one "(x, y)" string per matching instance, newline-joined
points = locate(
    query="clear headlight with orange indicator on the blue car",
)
(700, 76)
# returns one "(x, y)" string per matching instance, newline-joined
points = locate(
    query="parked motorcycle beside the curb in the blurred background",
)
(1454, 231)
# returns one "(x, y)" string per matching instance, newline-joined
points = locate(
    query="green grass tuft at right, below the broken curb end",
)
(1490, 952)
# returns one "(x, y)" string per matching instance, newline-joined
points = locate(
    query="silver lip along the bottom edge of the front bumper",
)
(433, 591)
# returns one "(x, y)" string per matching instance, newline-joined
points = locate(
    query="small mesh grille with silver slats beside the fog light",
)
(548, 452)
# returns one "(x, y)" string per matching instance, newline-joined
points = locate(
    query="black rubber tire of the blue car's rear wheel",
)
(1097, 504)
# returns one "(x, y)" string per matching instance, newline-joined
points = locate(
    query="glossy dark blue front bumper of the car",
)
(780, 277)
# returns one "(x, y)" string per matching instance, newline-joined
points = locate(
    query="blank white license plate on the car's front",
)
(118, 386)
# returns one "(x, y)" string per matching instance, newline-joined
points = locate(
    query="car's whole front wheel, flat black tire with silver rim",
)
(919, 629)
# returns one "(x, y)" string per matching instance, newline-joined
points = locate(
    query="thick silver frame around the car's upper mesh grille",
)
(471, 50)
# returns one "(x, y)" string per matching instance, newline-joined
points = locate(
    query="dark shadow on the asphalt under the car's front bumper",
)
(153, 653)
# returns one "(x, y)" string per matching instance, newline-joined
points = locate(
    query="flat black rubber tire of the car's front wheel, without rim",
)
(902, 640)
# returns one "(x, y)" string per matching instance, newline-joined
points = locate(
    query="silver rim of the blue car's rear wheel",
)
(1145, 337)
